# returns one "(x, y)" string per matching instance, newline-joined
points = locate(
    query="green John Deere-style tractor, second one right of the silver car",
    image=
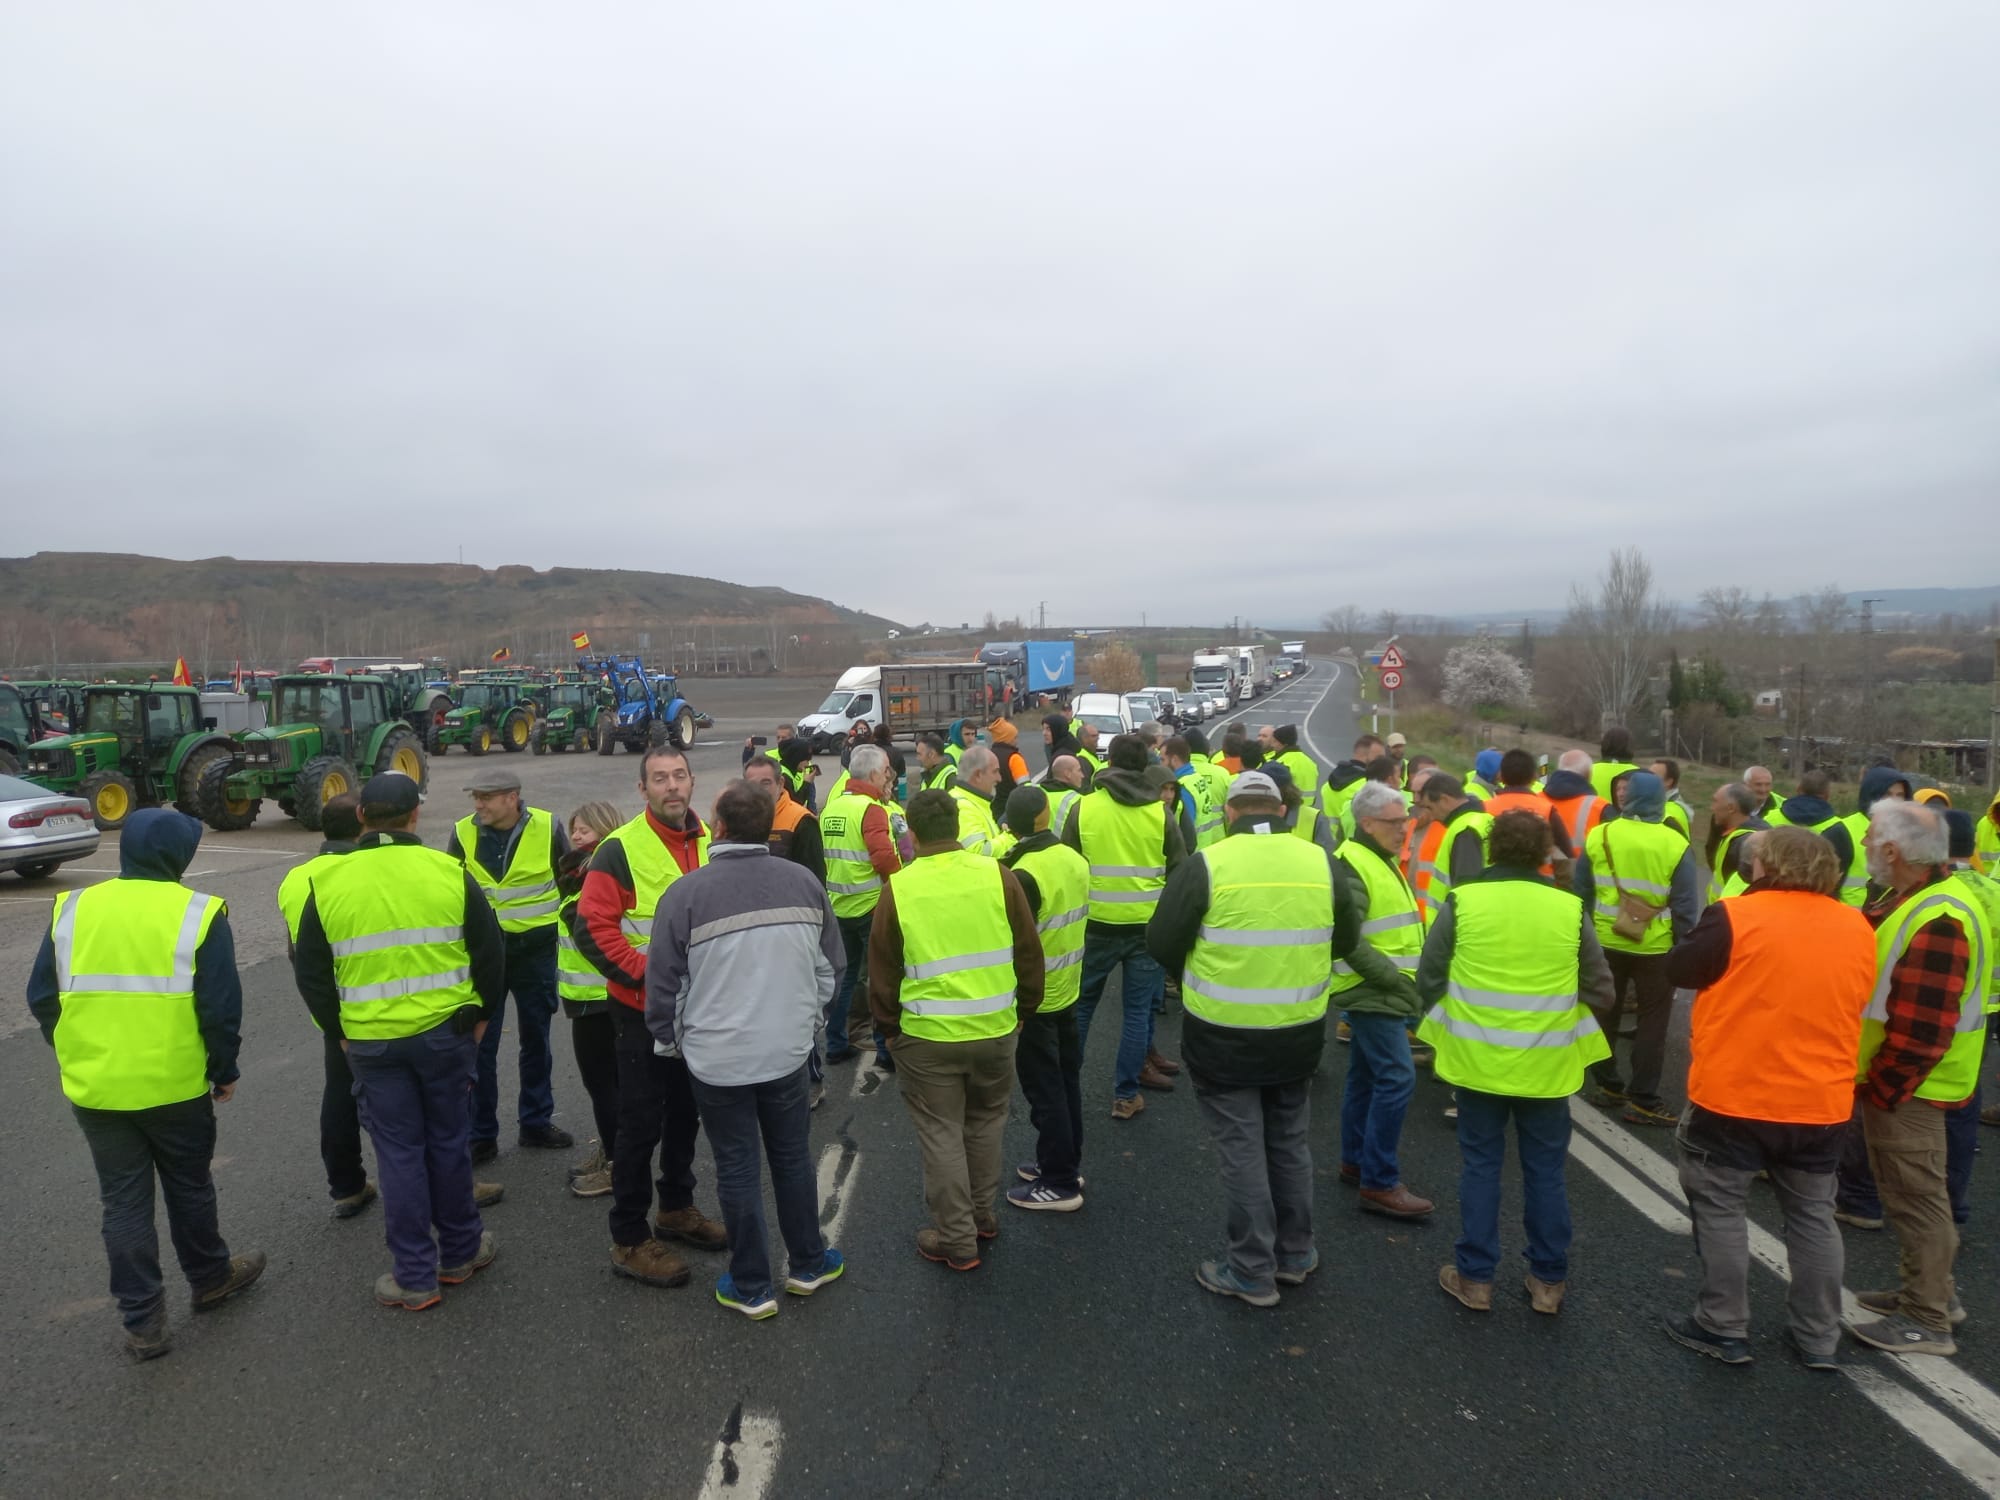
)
(325, 739)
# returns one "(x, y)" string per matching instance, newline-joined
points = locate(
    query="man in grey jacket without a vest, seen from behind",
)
(745, 957)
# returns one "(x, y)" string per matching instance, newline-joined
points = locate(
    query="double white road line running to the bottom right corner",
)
(1639, 1171)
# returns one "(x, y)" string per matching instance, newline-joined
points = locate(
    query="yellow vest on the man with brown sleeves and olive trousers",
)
(957, 949)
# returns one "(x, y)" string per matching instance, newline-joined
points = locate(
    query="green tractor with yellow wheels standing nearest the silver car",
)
(137, 745)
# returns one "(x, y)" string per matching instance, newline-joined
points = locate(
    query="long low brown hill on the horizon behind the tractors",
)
(107, 607)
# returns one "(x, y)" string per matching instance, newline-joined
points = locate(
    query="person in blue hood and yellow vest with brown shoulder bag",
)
(1645, 887)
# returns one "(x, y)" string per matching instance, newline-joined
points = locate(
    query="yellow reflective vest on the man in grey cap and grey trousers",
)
(1265, 953)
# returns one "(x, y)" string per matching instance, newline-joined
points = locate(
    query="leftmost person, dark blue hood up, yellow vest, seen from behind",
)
(137, 991)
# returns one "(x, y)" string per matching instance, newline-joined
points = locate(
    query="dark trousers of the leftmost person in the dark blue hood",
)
(131, 1147)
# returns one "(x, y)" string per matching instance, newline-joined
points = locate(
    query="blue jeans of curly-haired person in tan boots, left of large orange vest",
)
(1543, 1137)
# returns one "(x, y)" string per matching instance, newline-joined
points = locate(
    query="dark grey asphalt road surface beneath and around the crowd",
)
(1079, 1361)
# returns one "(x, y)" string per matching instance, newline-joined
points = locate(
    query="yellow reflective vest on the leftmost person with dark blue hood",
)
(125, 975)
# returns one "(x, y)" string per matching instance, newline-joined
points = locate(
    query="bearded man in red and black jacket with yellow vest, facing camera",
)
(613, 929)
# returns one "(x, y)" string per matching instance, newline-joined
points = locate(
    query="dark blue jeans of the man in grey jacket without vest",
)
(771, 1117)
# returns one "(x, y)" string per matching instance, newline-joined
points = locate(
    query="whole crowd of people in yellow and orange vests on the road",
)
(955, 919)
